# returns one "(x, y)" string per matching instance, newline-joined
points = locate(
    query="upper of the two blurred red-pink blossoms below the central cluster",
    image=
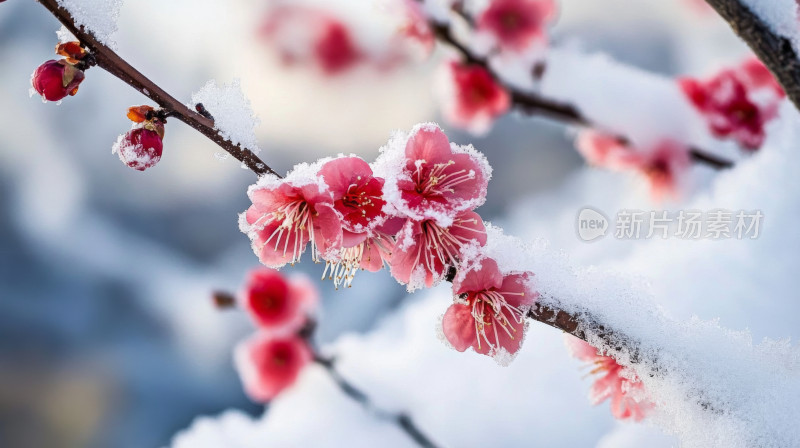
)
(277, 303)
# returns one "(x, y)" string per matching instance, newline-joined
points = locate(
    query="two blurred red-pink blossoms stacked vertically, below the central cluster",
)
(271, 359)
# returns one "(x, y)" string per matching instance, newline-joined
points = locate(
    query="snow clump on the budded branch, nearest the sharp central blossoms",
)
(233, 115)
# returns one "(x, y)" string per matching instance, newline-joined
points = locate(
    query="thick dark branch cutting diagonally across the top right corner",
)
(776, 52)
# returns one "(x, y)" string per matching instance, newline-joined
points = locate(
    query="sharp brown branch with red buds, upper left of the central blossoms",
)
(110, 61)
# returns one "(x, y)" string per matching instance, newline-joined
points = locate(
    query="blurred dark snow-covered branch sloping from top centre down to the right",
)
(533, 104)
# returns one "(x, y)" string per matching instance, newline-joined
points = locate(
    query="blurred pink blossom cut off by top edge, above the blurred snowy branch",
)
(515, 24)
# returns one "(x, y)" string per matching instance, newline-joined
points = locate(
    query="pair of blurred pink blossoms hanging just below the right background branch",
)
(664, 165)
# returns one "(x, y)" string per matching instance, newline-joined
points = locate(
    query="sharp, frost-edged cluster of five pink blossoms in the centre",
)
(413, 211)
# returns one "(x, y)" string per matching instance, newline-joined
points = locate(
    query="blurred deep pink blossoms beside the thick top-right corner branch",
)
(737, 103)
